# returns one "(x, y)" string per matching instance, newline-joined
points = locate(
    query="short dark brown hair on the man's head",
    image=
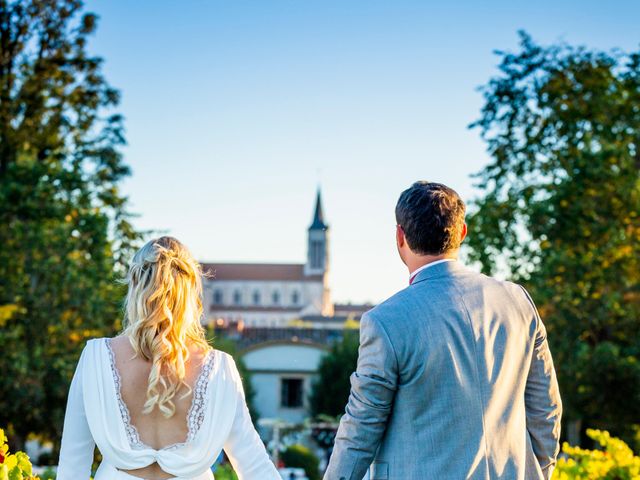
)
(432, 217)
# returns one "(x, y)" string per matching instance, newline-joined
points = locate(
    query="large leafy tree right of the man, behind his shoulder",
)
(559, 213)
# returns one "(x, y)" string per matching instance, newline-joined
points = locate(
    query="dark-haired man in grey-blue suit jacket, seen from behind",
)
(454, 378)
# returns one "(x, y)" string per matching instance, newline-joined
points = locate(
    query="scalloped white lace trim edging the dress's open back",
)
(195, 415)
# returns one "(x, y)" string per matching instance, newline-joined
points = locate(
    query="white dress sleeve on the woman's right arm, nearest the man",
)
(244, 448)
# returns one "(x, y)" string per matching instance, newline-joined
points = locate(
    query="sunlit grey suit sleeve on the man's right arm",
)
(542, 400)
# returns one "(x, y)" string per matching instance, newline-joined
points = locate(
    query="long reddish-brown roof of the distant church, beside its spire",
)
(259, 271)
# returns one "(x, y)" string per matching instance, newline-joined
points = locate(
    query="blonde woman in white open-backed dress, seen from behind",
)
(157, 400)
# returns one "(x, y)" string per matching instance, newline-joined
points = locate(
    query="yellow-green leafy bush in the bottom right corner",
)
(615, 461)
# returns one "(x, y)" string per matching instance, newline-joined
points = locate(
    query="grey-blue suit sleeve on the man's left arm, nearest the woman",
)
(373, 387)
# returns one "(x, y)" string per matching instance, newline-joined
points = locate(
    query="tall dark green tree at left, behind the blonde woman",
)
(64, 230)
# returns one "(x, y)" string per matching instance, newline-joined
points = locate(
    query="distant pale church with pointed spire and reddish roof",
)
(272, 294)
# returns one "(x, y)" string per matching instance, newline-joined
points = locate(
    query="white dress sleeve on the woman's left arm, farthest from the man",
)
(76, 450)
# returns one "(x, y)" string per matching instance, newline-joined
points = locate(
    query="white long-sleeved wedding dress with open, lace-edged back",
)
(218, 419)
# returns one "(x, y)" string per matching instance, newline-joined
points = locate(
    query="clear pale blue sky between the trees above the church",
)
(236, 110)
